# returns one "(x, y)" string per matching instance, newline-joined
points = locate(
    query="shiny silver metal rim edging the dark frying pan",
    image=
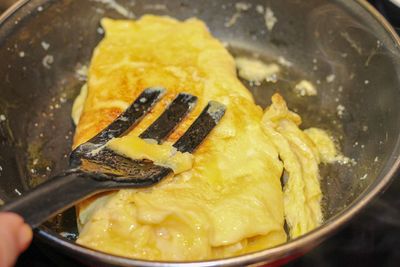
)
(299, 245)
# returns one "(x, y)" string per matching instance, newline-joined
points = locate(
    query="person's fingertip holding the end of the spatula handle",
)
(15, 237)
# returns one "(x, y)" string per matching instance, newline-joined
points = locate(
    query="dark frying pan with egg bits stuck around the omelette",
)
(344, 47)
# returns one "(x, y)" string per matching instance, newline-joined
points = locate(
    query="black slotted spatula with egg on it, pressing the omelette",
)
(94, 168)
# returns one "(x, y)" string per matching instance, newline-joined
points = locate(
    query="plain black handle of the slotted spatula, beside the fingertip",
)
(51, 197)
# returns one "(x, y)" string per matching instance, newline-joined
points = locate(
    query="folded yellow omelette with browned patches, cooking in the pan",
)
(226, 198)
